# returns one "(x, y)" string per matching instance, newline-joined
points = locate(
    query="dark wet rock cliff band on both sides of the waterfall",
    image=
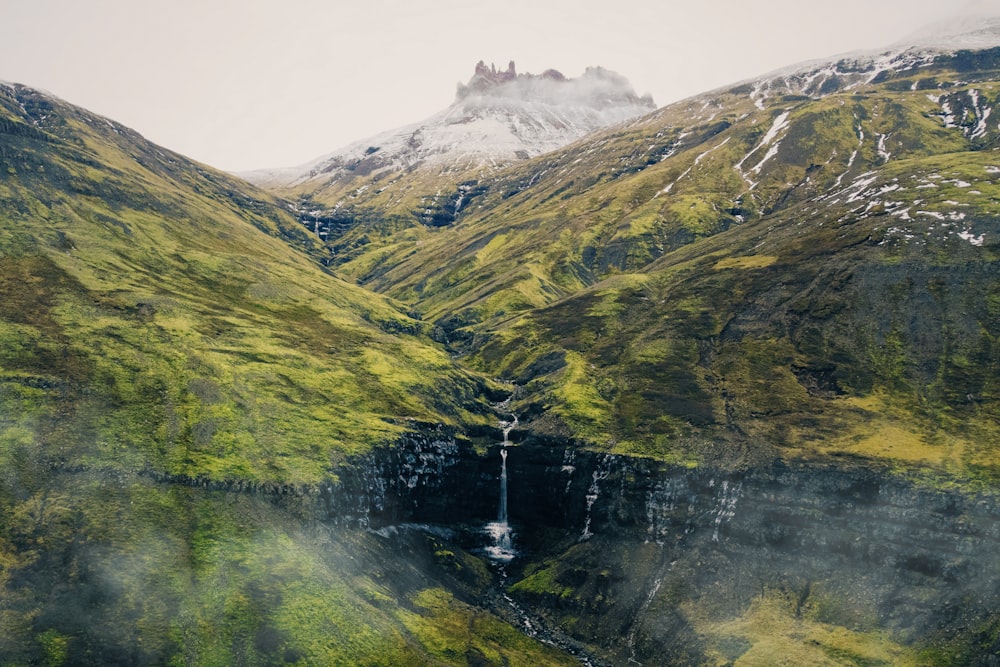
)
(628, 555)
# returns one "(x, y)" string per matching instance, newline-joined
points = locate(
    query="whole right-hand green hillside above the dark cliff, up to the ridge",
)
(798, 276)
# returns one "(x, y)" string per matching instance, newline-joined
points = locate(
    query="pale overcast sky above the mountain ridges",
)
(243, 84)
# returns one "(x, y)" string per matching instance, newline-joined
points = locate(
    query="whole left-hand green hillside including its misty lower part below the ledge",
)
(156, 320)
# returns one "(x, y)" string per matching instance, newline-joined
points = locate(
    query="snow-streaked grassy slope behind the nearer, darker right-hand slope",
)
(599, 207)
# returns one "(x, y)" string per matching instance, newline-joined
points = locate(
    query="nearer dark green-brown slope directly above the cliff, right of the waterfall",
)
(824, 328)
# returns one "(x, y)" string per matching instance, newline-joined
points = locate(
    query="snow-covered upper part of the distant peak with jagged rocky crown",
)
(499, 117)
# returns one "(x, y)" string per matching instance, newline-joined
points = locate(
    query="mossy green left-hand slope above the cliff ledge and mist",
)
(148, 323)
